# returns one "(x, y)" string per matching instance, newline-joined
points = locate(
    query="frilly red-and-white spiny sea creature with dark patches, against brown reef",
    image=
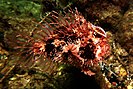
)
(65, 38)
